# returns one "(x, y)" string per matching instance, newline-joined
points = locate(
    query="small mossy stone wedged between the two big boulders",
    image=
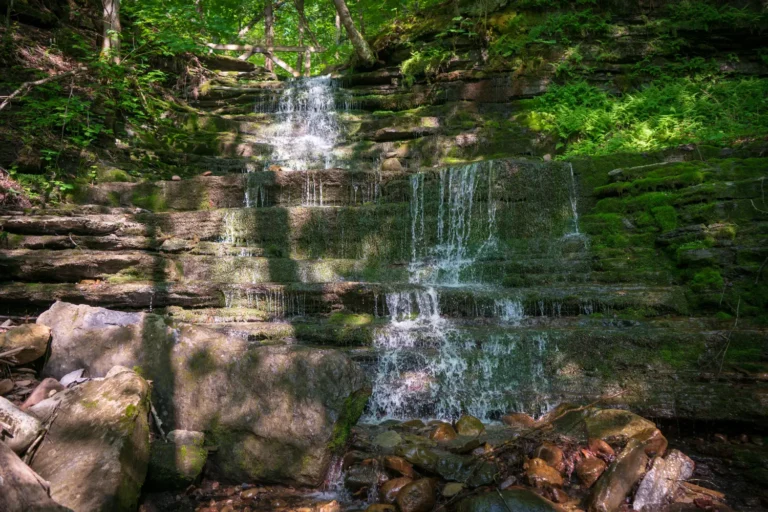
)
(177, 463)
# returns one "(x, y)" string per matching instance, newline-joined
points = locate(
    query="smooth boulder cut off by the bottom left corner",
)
(21, 489)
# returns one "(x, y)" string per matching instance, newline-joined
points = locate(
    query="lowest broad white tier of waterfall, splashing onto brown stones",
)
(430, 367)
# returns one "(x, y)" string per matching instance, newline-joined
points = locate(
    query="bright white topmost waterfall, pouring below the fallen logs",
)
(307, 126)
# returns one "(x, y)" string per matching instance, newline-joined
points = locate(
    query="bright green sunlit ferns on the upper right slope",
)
(665, 113)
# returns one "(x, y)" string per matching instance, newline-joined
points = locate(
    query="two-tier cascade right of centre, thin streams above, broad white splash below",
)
(433, 367)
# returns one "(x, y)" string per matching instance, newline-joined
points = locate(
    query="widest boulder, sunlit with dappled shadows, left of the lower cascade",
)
(274, 412)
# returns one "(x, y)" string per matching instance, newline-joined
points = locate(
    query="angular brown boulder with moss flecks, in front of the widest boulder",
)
(96, 452)
